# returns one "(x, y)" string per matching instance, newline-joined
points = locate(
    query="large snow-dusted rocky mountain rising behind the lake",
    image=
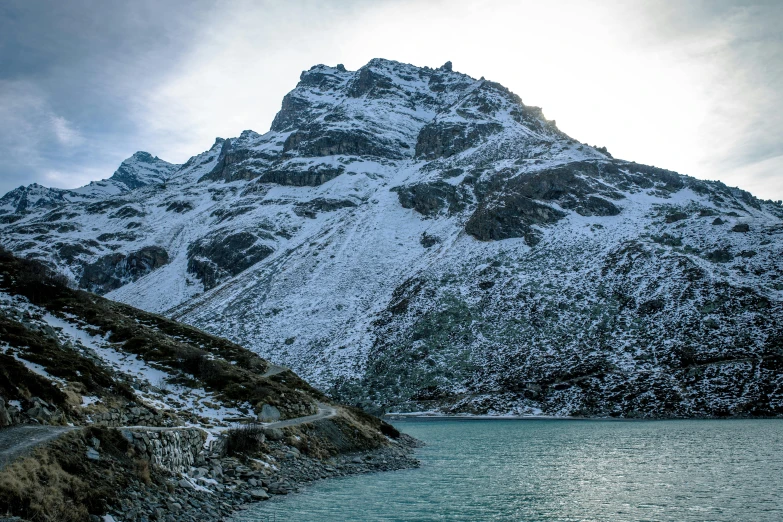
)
(414, 239)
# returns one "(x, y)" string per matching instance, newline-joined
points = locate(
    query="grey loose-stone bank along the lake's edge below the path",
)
(219, 486)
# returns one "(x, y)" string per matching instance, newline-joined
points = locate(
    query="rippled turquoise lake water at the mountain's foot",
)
(547, 470)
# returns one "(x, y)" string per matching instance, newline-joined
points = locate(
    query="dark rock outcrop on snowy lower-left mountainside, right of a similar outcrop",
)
(215, 258)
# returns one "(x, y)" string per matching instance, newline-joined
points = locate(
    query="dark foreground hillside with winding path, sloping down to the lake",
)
(106, 409)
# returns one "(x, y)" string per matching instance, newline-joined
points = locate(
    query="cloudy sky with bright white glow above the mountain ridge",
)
(692, 86)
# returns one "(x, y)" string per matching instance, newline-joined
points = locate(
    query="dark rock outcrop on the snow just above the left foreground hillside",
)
(114, 270)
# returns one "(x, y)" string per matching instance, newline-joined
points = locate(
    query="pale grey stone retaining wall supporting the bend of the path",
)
(174, 450)
